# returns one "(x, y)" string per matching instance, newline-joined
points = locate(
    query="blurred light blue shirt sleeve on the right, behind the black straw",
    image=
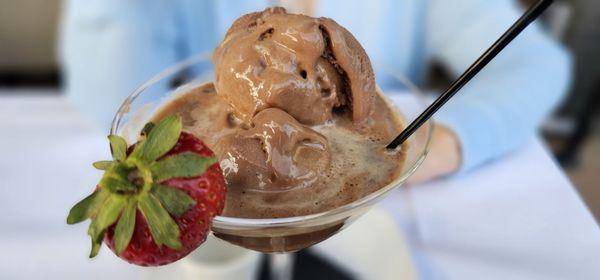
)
(501, 107)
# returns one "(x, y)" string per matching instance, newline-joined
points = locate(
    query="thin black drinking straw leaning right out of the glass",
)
(530, 15)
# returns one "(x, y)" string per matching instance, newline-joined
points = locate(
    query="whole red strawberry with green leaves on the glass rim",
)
(164, 190)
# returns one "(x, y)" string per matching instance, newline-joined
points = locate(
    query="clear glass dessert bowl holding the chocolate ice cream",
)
(269, 235)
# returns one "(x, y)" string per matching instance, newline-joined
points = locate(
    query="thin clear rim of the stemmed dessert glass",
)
(257, 223)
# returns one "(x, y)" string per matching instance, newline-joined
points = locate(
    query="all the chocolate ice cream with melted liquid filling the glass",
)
(294, 118)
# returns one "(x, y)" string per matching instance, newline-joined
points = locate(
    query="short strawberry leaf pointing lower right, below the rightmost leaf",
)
(175, 201)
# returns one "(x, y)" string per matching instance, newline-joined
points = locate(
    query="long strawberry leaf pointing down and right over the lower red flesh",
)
(163, 228)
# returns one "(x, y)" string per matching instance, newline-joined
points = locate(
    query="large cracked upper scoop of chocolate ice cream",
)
(307, 67)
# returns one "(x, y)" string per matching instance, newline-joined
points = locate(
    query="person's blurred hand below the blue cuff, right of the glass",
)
(443, 159)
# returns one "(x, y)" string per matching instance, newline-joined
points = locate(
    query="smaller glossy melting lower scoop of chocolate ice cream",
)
(276, 153)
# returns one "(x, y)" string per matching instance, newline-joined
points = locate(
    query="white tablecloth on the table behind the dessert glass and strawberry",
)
(518, 218)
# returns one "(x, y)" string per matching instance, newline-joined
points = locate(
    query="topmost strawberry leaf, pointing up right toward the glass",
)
(160, 140)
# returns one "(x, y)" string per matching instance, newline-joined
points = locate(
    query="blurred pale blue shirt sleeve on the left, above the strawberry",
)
(109, 47)
